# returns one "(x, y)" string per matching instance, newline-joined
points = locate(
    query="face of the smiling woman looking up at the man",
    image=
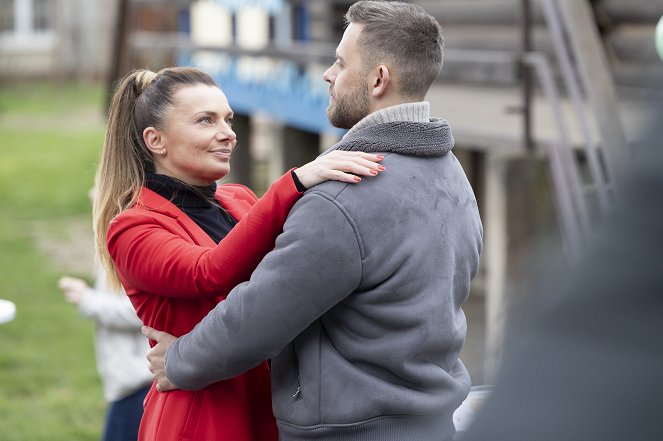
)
(197, 140)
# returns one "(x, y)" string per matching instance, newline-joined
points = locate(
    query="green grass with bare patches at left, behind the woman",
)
(50, 136)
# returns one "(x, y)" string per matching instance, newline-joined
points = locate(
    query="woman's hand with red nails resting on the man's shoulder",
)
(339, 166)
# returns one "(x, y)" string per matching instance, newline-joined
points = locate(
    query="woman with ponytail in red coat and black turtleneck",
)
(171, 237)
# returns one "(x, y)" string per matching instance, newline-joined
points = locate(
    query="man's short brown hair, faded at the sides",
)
(403, 34)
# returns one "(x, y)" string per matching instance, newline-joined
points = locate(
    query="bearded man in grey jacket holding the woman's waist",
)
(359, 305)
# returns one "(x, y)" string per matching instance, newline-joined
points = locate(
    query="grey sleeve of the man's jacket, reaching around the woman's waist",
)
(316, 264)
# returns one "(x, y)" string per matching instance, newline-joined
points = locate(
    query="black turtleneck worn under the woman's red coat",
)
(196, 202)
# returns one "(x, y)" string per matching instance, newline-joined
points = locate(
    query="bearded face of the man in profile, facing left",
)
(348, 85)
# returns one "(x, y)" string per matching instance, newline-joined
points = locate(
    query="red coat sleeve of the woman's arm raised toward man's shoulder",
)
(151, 258)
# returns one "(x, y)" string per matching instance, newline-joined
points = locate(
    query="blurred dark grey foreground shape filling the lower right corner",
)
(586, 364)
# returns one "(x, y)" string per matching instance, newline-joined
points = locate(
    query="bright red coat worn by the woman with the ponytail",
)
(175, 274)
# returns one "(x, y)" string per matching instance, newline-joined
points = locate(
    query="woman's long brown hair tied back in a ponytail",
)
(141, 100)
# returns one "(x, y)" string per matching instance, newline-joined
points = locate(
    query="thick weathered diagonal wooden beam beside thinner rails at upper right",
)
(598, 83)
